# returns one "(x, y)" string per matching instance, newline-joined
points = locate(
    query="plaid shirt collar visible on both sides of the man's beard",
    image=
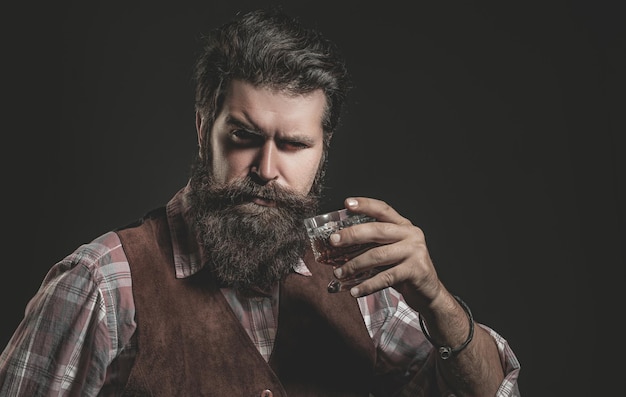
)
(187, 252)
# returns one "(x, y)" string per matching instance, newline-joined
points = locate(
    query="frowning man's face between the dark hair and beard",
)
(269, 135)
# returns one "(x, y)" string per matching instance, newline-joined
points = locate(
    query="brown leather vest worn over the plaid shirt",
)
(191, 343)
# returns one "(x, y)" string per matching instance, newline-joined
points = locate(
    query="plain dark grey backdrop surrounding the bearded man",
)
(497, 128)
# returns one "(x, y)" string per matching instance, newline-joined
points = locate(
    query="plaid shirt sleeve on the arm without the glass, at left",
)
(73, 327)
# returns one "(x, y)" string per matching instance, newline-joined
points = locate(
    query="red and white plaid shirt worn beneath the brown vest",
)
(77, 337)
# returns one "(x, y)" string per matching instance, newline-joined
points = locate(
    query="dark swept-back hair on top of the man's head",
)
(270, 48)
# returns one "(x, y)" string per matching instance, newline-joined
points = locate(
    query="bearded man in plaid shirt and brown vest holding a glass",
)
(217, 294)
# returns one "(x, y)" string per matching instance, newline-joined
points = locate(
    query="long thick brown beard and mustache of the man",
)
(247, 246)
